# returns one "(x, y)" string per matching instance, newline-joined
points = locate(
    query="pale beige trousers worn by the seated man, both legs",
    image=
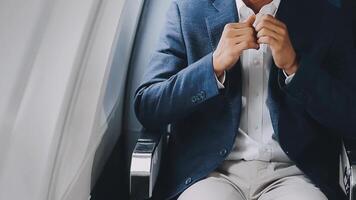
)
(254, 180)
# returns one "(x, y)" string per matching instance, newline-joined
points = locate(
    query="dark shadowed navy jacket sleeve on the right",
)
(327, 88)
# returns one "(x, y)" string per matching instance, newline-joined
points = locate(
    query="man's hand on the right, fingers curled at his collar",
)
(274, 33)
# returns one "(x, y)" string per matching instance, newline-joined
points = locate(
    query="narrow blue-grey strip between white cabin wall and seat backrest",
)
(113, 101)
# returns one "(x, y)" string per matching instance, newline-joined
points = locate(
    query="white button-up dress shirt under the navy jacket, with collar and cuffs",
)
(254, 139)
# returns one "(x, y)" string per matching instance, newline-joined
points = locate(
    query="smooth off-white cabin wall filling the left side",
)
(51, 96)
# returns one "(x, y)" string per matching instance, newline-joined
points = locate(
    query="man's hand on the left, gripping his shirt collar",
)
(235, 38)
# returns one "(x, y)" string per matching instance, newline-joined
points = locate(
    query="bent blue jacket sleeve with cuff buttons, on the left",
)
(171, 88)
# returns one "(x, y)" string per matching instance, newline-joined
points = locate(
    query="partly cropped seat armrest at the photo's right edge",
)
(348, 167)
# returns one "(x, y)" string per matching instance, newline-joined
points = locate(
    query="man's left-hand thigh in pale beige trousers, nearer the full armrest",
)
(214, 187)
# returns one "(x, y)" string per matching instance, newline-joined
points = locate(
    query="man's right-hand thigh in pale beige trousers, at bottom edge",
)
(292, 188)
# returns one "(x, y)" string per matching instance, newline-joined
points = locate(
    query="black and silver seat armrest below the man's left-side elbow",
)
(145, 163)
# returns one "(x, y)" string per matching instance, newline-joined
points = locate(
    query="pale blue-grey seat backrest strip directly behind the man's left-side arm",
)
(152, 21)
